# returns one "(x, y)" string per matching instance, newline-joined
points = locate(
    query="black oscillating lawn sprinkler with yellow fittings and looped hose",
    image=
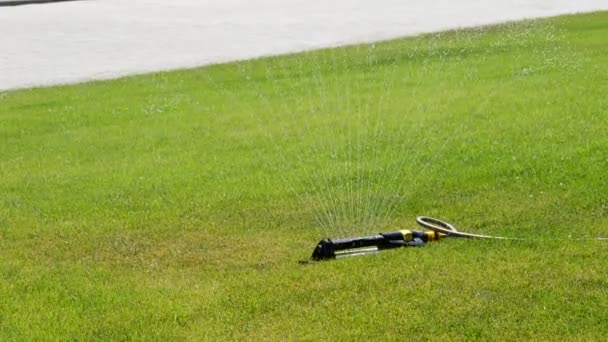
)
(328, 249)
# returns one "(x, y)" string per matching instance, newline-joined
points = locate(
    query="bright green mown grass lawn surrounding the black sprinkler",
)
(175, 206)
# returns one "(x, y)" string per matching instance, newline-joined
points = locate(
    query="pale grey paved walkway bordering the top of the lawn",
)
(66, 42)
